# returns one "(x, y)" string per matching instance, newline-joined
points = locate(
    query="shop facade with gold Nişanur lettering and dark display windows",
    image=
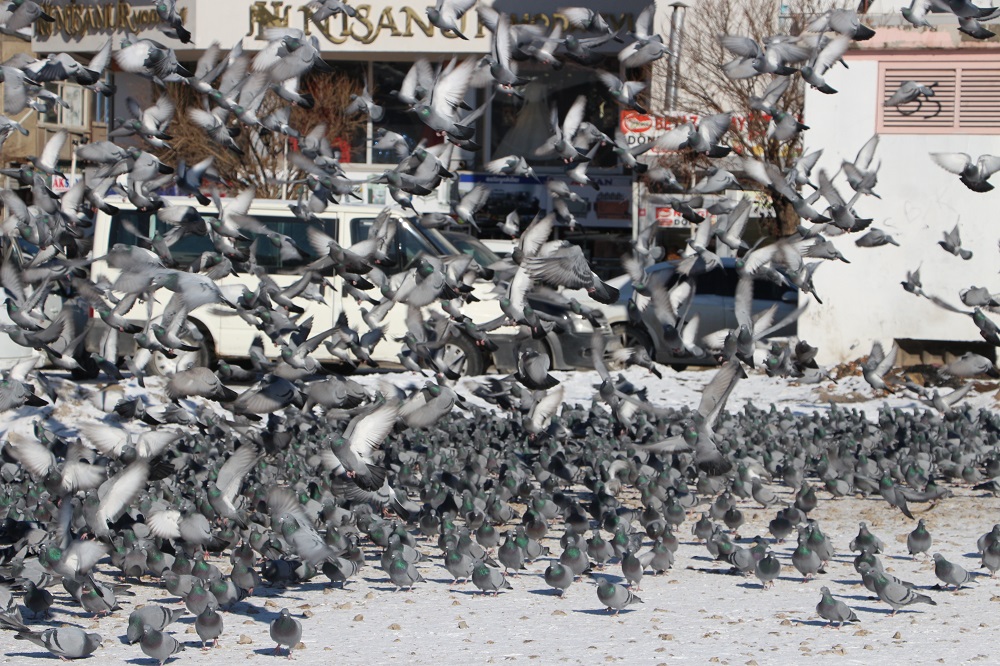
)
(378, 45)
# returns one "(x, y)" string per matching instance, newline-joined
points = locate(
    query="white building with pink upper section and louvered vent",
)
(864, 300)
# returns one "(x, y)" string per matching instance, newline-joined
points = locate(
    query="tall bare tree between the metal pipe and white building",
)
(704, 88)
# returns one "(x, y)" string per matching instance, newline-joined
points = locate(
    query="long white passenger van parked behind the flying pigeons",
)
(225, 335)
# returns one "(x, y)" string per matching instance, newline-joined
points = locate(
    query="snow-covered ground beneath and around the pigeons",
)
(697, 612)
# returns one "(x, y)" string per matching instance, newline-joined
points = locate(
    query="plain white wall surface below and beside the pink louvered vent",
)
(863, 301)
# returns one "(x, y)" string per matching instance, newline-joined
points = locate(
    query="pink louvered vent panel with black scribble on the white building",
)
(966, 96)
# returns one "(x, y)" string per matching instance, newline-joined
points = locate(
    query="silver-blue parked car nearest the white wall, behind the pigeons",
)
(713, 302)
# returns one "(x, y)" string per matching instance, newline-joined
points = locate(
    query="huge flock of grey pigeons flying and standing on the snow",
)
(299, 477)
